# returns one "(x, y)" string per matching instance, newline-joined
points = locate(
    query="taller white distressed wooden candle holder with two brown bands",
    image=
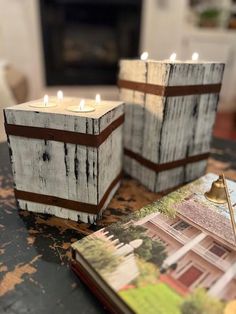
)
(169, 114)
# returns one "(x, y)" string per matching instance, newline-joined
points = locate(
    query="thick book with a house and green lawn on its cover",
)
(177, 255)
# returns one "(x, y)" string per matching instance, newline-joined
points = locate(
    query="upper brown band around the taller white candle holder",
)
(160, 90)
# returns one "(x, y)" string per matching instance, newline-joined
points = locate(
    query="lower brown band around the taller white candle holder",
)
(165, 166)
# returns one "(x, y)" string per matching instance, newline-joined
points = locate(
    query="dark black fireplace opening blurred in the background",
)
(84, 39)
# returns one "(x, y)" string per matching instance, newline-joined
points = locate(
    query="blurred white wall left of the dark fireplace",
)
(20, 40)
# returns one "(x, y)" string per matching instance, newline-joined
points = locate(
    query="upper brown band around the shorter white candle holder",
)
(62, 135)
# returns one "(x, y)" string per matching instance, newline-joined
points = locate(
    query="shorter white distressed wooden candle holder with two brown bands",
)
(65, 163)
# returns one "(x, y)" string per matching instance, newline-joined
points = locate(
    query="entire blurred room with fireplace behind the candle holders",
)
(75, 45)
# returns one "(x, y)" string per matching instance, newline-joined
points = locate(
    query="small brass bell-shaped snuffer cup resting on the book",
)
(217, 192)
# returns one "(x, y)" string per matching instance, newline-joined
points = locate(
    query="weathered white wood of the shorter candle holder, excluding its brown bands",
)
(69, 171)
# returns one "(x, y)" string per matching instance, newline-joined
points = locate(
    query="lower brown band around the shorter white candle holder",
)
(65, 203)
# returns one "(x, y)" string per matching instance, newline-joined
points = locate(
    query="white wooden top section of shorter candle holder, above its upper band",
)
(60, 119)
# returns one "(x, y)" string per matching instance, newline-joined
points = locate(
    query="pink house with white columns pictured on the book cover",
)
(203, 255)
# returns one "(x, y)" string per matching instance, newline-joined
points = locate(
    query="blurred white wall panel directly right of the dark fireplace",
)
(162, 27)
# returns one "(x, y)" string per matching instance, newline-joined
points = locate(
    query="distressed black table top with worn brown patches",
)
(34, 271)
